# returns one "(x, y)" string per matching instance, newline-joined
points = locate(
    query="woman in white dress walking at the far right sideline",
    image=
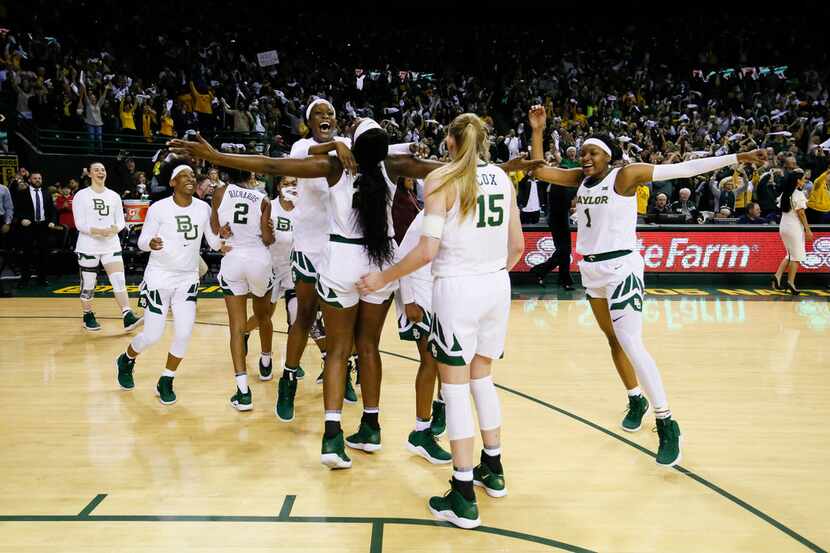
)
(794, 230)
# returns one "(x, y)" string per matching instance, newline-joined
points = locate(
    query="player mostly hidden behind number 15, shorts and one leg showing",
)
(413, 302)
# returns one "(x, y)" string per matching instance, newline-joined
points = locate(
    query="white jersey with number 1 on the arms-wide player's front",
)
(606, 221)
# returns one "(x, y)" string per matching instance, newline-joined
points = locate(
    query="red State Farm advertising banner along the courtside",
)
(698, 252)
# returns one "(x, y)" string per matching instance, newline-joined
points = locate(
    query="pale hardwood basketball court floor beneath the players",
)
(88, 466)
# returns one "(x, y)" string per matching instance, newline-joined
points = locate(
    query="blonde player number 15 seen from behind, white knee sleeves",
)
(473, 235)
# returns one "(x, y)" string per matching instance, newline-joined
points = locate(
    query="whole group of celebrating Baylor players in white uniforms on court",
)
(325, 244)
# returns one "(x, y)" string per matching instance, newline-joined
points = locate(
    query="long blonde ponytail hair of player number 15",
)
(471, 141)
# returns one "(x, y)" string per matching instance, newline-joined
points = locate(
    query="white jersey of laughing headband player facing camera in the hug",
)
(310, 215)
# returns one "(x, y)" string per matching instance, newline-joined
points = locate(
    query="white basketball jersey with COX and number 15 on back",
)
(477, 244)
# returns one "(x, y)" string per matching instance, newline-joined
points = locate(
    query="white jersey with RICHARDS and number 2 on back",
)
(242, 209)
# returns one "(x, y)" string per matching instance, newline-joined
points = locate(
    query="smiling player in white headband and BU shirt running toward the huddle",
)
(172, 233)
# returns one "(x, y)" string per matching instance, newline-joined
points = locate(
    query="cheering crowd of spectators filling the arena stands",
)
(689, 86)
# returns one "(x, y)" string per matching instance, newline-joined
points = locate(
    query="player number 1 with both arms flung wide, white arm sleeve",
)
(612, 268)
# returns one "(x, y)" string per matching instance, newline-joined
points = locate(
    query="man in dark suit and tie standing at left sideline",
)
(35, 216)
